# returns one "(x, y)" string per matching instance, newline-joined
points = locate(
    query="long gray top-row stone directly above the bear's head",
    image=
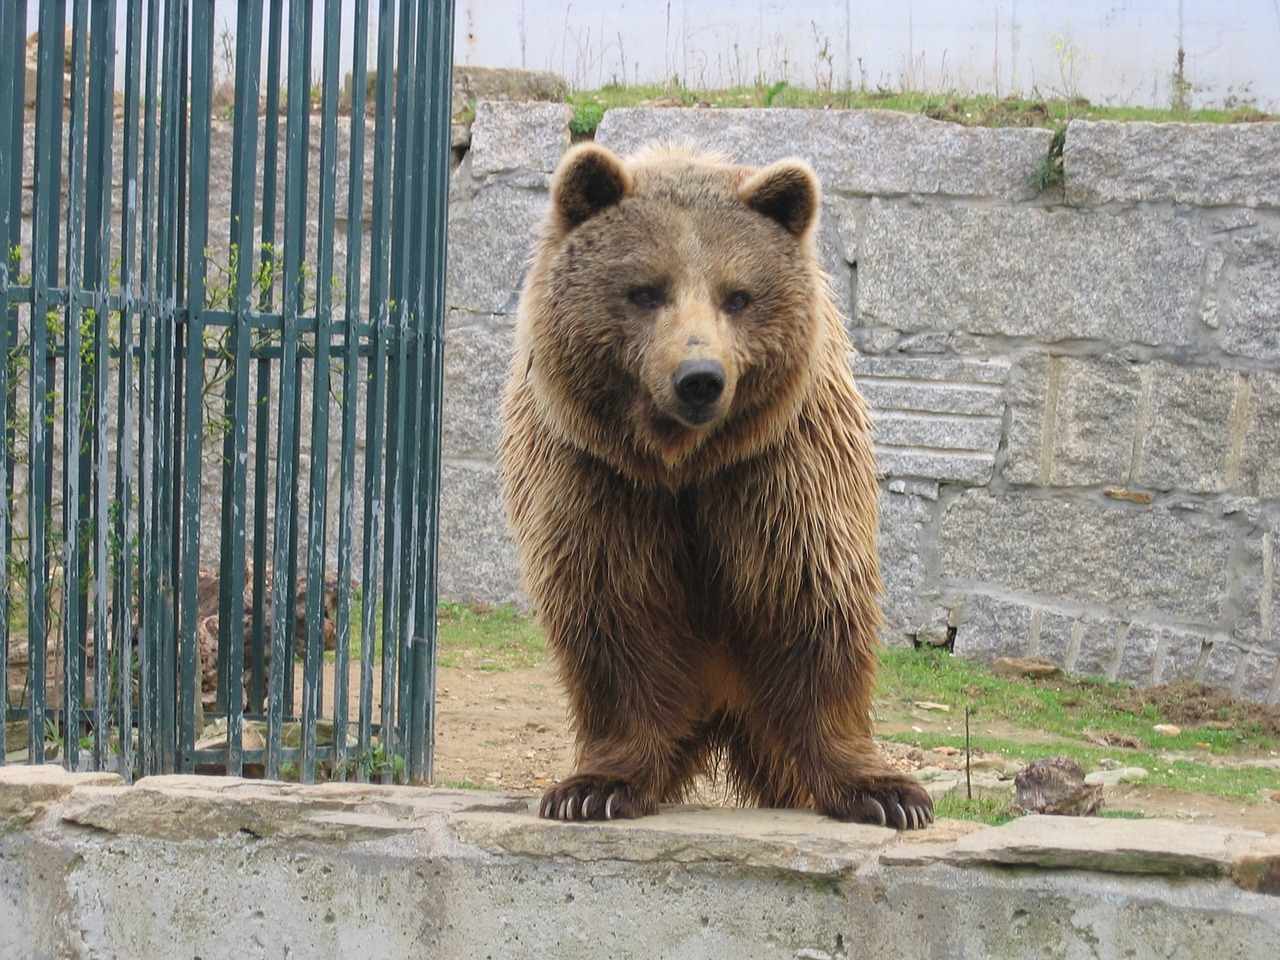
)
(853, 152)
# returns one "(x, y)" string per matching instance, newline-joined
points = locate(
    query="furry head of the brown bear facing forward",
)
(673, 309)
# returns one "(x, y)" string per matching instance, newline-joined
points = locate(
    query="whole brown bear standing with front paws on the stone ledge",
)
(692, 487)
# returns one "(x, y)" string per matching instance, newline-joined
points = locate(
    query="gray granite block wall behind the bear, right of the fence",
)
(1077, 391)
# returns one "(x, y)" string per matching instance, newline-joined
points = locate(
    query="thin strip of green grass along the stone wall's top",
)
(973, 111)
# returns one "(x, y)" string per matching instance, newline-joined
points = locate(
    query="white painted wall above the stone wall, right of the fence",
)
(1112, 52)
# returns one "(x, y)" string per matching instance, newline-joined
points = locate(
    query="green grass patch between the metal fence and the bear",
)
(488, 639)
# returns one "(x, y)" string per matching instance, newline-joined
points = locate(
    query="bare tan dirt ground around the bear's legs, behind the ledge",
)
(509, 732)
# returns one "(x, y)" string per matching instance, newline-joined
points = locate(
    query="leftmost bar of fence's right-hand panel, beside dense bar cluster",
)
(194, 381)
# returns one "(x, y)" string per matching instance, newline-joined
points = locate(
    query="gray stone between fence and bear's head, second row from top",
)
(491, 239)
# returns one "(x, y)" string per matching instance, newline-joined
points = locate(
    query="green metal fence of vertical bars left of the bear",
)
(222, 390)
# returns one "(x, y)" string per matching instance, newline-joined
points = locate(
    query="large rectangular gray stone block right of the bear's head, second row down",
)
(1076, 276)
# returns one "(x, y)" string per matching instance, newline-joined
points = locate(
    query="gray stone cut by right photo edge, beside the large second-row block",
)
(1250, 303)
